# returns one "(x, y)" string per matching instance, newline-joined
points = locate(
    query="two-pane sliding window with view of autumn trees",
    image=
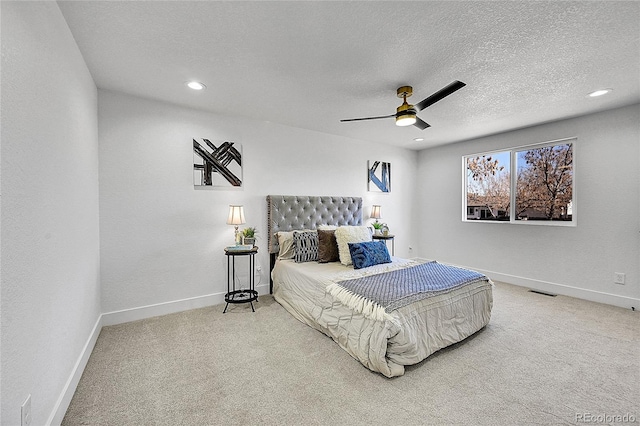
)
(540, 191)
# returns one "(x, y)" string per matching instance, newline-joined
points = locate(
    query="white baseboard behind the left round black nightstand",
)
(143, 312)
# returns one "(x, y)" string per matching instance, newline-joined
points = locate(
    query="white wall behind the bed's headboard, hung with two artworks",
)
(162, 240)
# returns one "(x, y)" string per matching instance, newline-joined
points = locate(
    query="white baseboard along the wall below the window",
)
(555, 288)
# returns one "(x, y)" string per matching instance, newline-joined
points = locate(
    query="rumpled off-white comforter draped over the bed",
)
(408, 336)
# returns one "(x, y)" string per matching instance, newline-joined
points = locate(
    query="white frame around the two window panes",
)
(513, 185)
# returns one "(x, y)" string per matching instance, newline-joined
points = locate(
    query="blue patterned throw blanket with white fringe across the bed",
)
(395, 289)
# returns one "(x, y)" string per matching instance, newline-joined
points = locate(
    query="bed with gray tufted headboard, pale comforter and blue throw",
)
(384, 335)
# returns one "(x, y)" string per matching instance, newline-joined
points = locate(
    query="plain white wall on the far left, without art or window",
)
(50, 244)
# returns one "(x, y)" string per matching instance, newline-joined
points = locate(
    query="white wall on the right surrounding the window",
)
(578, 261)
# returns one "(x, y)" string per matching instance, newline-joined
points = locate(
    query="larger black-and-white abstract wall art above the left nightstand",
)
(217, 165)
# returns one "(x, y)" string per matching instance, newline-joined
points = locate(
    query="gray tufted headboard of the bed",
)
(291, 212)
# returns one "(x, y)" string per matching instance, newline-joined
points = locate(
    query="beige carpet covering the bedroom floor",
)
(541, 360)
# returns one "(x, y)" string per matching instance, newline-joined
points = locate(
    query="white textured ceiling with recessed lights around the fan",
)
(310, 64)
